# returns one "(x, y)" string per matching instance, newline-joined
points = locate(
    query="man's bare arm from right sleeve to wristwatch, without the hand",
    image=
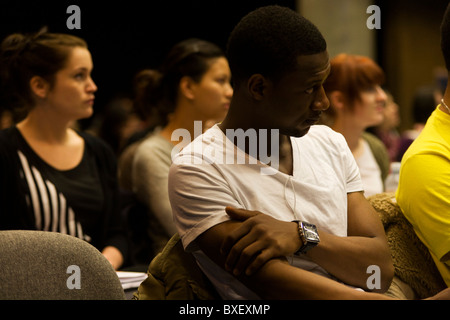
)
(348, 258)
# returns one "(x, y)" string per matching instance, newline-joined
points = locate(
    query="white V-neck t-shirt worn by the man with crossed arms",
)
(202, 184)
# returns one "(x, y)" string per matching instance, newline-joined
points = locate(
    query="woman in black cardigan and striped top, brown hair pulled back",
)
(54, 178)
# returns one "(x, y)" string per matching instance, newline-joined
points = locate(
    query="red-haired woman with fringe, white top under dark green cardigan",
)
(356, 103)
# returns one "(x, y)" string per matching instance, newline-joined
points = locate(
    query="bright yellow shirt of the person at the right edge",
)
(423, 192)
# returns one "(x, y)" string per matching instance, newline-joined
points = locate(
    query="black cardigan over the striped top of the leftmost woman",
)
(15, 214)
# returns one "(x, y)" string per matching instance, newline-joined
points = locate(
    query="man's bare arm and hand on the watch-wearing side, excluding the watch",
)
(261, 237)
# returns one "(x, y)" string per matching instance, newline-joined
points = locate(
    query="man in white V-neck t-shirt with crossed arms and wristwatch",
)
(268, 221)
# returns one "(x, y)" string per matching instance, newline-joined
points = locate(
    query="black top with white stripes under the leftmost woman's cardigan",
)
(68, 202)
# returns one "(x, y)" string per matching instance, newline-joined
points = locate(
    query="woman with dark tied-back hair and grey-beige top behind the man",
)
(192, 85)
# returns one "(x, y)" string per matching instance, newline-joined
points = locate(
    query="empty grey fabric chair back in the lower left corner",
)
(39, 265)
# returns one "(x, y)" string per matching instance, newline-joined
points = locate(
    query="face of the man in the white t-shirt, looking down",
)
(295, 102)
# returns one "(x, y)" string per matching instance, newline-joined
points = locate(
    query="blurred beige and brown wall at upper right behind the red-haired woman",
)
(407, 46)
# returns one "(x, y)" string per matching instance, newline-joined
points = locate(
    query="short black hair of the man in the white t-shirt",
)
(269, 40)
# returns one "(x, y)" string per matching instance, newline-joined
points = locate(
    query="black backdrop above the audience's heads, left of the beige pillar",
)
(127, 36)
